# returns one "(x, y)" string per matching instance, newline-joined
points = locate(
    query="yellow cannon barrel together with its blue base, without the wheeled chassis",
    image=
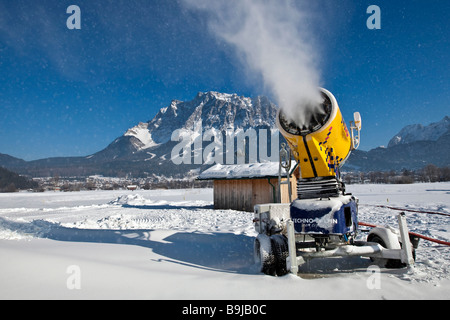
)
(321, 148)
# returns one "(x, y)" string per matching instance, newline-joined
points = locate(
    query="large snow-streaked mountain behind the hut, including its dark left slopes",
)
(145, 149)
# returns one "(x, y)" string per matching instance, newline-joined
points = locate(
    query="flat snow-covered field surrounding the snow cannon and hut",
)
(171, 244)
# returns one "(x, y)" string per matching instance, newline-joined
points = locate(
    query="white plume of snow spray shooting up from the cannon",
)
(273, 40)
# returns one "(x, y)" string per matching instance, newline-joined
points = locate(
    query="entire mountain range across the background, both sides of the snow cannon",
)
(146, 148)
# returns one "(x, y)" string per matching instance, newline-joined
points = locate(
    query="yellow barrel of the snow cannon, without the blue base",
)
(324, 143)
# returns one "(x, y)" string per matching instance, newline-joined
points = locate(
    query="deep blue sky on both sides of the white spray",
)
(72, 92)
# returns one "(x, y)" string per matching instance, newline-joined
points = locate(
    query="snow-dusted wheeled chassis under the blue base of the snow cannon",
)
(280, 249)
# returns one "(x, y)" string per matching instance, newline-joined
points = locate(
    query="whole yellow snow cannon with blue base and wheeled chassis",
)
(323, 221)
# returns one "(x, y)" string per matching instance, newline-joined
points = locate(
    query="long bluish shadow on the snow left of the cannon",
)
(225, 252)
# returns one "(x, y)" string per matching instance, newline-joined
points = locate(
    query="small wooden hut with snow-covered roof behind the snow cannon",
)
(241, 187)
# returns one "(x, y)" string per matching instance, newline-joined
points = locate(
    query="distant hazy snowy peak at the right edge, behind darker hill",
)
(418, 132)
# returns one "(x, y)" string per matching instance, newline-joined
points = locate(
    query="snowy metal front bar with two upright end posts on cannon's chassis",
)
(359, 248)
